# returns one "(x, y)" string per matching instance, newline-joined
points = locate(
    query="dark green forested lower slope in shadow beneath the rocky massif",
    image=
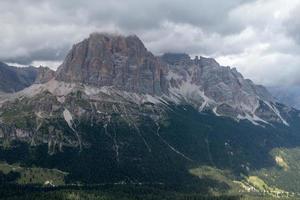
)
(183, 140)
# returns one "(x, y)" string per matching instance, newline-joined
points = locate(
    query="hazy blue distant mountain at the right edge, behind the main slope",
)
(290, 95)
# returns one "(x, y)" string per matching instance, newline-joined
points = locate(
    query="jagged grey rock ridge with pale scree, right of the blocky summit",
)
(208, 86)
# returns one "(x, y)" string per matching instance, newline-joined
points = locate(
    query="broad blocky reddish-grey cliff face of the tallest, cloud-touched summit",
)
(107, 60)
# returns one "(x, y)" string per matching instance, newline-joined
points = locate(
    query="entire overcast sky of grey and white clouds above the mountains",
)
(261, 38)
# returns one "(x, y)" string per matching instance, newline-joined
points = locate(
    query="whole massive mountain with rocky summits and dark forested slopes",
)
(115, 113)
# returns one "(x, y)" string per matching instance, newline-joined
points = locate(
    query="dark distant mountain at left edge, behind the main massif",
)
(14, 79)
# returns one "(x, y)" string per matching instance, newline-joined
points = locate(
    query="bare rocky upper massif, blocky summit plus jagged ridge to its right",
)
(125, 64)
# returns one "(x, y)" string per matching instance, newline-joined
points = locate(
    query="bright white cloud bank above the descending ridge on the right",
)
(268, 55)
